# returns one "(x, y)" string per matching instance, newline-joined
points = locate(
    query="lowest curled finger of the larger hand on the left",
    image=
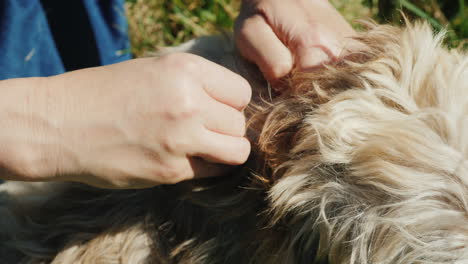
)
(218, 148)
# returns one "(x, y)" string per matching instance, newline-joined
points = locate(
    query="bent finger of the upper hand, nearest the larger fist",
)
(259, 43)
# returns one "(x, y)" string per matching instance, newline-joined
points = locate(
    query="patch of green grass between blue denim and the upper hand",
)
(157, 23)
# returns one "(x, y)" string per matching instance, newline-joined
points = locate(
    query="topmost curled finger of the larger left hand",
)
(225, 86)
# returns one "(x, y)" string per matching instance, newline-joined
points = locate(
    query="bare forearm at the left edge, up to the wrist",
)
(31, 146)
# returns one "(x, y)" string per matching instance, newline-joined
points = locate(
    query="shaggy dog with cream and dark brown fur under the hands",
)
(361, 161)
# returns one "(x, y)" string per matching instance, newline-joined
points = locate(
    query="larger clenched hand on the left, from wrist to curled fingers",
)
(141, 123)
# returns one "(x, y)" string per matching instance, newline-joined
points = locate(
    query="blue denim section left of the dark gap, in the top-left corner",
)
(26, 44)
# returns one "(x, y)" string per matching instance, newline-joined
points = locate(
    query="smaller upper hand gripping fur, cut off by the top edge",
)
(279, 35)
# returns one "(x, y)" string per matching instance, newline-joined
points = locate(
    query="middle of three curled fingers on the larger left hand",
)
(224, 119)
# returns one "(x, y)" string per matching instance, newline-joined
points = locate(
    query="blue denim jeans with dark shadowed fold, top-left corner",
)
(49, 37)
